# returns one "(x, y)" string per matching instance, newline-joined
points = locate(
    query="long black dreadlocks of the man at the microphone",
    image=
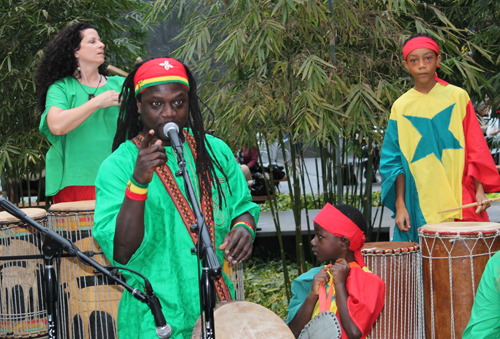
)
(130, 125)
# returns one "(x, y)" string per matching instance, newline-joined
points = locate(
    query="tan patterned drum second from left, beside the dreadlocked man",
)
(88, 302)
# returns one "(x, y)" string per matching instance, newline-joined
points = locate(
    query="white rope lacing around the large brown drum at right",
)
(452, 237)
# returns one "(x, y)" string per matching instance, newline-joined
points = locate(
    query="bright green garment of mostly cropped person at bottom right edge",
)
(484, 320)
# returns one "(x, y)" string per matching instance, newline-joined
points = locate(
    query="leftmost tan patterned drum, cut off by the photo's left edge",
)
(22, 307)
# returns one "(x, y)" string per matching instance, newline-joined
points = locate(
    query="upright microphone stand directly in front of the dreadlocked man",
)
(205, 251)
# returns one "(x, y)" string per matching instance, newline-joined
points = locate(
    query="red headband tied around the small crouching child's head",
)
(336, 223)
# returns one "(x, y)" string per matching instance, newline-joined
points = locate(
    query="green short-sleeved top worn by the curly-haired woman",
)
(74, 158)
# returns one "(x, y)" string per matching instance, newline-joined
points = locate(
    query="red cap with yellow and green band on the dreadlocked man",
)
(160, 71)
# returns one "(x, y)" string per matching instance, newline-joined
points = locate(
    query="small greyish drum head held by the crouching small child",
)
(324, 326)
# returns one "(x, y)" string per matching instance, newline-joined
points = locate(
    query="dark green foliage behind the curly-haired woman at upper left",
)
(25, 29)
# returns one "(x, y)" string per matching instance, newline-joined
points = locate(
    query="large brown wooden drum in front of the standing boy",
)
(454, 255)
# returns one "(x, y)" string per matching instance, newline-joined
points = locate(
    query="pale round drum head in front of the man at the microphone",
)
(243, 320)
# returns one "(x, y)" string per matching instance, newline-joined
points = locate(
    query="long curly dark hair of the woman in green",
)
(58, 60)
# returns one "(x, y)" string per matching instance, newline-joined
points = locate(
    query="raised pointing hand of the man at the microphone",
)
(149, 158)
